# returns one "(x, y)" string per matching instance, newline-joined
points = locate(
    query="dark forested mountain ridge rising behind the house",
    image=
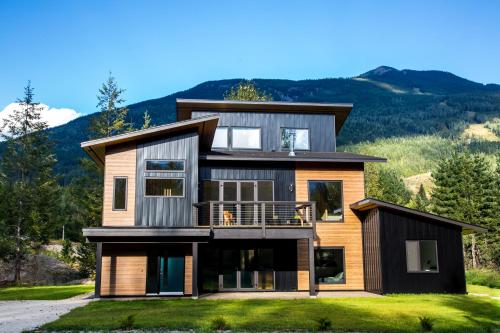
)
(387, 103)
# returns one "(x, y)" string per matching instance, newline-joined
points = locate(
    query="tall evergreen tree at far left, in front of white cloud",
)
(29, 188)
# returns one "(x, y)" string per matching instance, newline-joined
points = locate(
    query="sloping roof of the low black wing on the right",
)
(369, 203)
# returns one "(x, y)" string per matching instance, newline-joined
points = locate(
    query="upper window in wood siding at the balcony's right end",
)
(328, 198)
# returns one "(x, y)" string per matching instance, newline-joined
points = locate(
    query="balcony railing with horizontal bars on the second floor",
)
(254, 214)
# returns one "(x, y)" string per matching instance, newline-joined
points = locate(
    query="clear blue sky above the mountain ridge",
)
(155, 48)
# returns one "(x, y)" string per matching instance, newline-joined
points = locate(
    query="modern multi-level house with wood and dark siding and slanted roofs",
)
(253, 196)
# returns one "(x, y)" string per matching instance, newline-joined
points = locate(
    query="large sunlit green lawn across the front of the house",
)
(398, 313)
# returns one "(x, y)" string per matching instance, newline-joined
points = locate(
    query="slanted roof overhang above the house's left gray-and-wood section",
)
(204, 126)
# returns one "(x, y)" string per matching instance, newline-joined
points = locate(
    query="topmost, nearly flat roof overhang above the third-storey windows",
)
(341, 110)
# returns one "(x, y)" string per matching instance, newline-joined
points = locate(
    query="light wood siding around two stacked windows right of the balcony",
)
(347, 234)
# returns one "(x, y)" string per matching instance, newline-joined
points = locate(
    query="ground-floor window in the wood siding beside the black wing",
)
(329, 265)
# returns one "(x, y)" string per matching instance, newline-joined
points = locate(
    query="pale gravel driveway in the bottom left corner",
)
(17, 316)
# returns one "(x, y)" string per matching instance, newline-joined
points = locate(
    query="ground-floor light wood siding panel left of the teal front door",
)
(123, 272)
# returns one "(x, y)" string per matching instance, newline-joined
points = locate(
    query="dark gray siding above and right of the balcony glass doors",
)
(282, 175)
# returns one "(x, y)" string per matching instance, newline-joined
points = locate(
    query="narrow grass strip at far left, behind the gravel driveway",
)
(43, 292)
